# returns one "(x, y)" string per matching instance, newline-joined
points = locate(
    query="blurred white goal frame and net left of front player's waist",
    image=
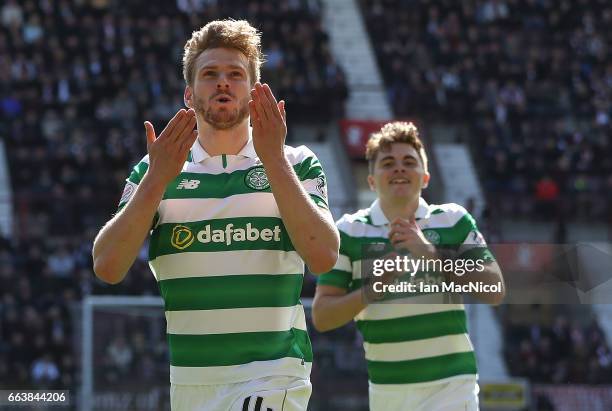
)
(124, 356)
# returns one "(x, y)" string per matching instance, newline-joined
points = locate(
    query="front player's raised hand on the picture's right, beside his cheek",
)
(269, 122)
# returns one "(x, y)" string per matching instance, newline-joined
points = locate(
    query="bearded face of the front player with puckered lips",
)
(221, 86)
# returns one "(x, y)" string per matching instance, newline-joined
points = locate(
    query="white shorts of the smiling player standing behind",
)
(454, 395)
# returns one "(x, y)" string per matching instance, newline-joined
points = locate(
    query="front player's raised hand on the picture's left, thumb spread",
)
(167, 153)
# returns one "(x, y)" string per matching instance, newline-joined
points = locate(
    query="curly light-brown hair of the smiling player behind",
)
(391, 133)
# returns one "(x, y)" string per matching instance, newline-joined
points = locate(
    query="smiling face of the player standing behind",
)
(398, 174)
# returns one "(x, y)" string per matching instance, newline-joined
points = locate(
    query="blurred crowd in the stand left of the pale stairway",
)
(77, 80)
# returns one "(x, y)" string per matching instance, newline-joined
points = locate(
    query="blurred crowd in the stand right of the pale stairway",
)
(530, 80)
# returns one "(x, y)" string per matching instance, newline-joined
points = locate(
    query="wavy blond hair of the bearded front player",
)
(229, 33)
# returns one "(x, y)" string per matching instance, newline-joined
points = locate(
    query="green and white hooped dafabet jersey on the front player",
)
(227, 270)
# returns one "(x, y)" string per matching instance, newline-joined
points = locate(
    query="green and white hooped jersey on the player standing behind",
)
(410, 343)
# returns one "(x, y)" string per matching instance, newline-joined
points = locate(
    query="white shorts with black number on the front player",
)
(264, 394)
